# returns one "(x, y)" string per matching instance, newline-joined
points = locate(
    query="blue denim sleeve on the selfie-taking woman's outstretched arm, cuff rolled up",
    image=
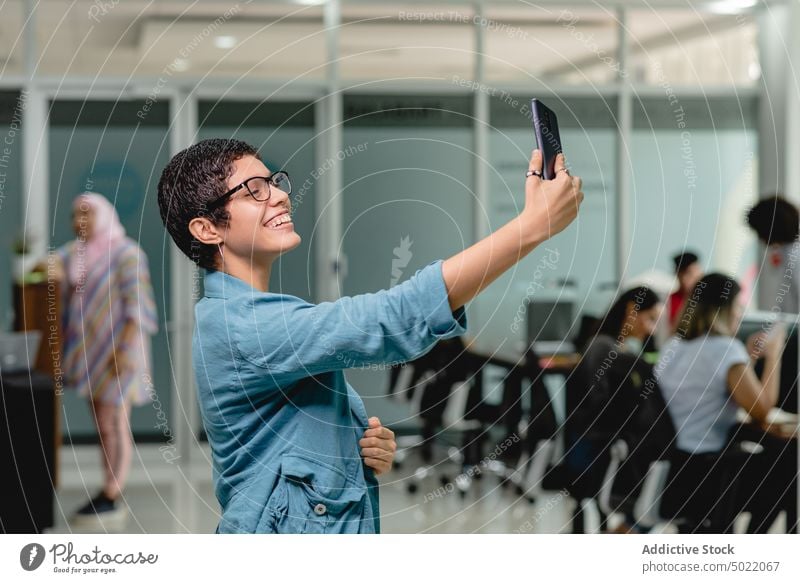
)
(390, 326)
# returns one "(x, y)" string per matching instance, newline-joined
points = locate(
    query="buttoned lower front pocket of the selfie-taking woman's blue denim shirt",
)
(313, 497)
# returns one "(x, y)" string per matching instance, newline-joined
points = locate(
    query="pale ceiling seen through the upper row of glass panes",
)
(287, 40)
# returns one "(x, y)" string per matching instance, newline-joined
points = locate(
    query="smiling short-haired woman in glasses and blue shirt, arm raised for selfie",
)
(293, 448)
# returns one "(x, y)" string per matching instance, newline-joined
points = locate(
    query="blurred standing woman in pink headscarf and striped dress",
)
(109, 316)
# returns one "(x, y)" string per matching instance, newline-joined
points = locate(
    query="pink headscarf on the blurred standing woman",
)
(108, 233)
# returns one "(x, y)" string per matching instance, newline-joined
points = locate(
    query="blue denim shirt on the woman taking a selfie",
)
(282, 422)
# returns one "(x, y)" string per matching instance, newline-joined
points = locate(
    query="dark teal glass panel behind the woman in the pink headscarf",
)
(110, 148)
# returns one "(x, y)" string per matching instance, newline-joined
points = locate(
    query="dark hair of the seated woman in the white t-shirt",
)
(707, 309)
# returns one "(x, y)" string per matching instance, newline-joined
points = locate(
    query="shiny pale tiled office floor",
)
(164, 498)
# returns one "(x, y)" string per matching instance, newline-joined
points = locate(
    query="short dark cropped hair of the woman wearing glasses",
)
(193, 178)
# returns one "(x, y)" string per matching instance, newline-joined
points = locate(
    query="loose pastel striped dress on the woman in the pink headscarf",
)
(115, 290)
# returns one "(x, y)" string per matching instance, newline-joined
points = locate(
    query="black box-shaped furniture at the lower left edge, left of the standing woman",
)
(27, 453)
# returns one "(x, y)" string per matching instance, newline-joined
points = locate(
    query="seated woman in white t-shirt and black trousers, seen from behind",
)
(705, 374)
